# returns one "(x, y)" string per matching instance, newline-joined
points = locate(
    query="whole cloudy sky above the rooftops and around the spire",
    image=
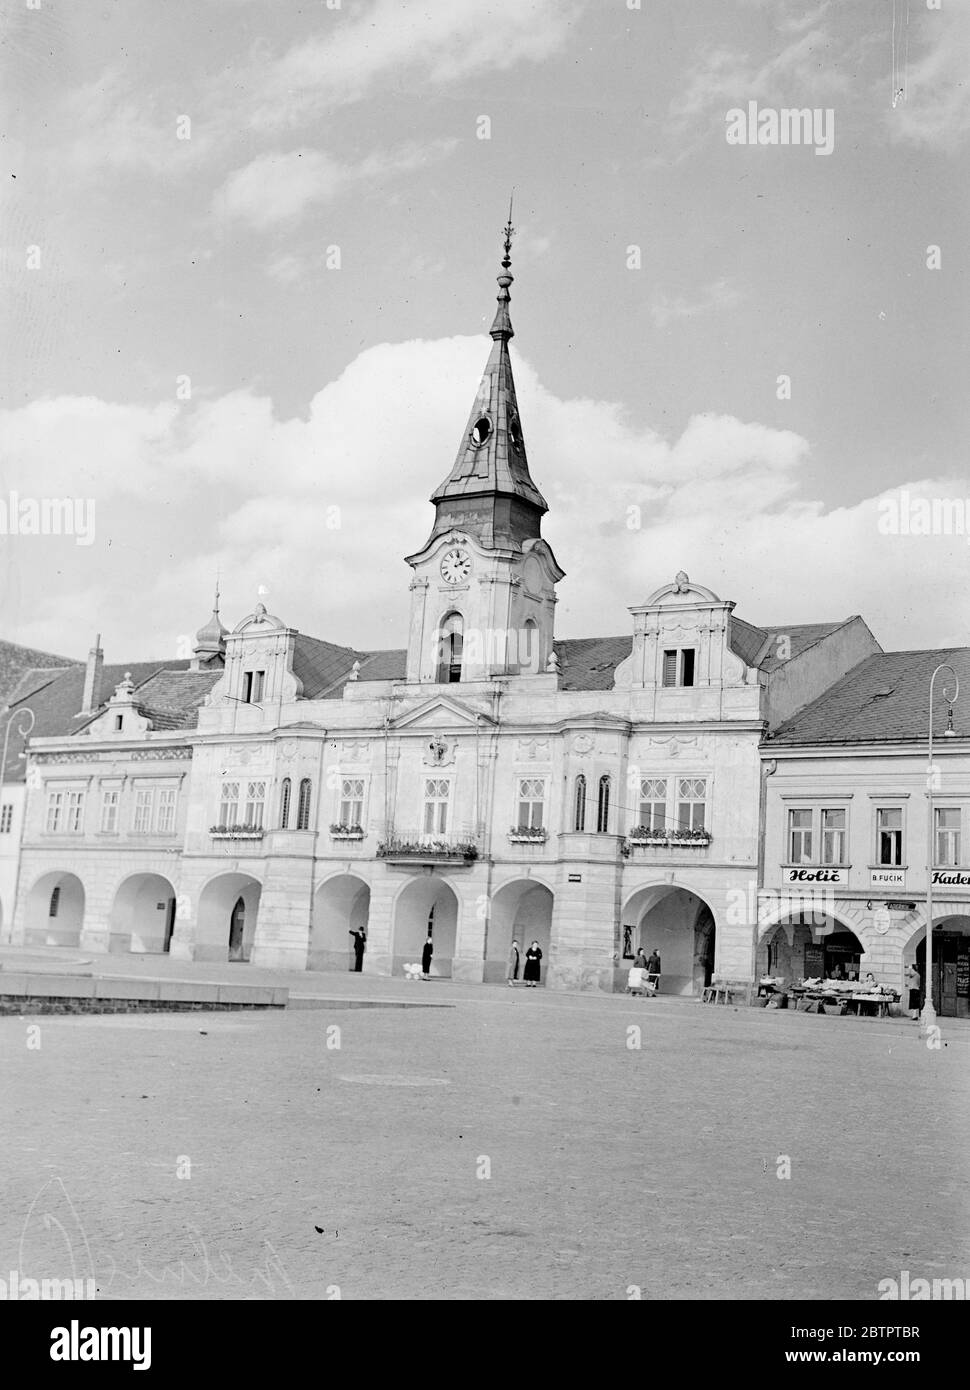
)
(248, 268)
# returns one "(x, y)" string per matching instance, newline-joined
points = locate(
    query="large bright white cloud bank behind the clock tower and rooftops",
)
(323, 509)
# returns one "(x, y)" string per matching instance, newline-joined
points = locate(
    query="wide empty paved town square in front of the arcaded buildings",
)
(607, 1167)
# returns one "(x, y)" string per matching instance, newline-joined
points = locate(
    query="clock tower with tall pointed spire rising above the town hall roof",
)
(484, 589)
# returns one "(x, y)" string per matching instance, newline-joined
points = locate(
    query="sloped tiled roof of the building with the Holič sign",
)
(883, 700)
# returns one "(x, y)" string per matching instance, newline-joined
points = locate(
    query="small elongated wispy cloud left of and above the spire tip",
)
(281, 187)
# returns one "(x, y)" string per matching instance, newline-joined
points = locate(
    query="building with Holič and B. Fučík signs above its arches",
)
(848, 842)
